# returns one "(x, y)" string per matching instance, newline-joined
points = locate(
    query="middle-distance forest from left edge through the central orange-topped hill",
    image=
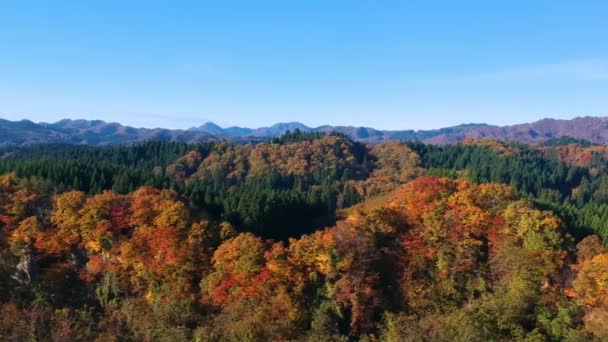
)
(291, 185)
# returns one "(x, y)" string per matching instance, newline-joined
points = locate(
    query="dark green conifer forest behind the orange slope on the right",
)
(577, 192)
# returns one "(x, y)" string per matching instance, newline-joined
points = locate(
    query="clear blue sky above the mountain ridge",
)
(385, 64)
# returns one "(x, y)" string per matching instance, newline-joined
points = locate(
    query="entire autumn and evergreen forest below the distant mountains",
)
(305, 237)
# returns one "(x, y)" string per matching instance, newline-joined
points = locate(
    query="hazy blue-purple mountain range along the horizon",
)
(97, 132)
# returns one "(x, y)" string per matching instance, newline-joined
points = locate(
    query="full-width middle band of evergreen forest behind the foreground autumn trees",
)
(297, 183)
